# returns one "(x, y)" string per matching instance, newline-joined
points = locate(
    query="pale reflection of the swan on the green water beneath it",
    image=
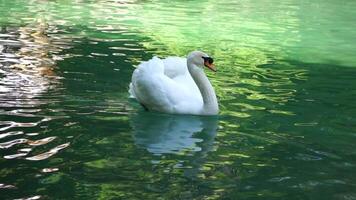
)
(174, 134)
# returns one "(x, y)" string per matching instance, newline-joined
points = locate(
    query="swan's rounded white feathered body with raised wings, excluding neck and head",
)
(165, 85)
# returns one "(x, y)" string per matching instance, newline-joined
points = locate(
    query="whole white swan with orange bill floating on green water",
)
(175, 85)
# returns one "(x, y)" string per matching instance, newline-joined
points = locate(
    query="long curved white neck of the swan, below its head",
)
(206, 89)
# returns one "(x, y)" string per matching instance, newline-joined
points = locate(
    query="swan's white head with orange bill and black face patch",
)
(201, 59)
